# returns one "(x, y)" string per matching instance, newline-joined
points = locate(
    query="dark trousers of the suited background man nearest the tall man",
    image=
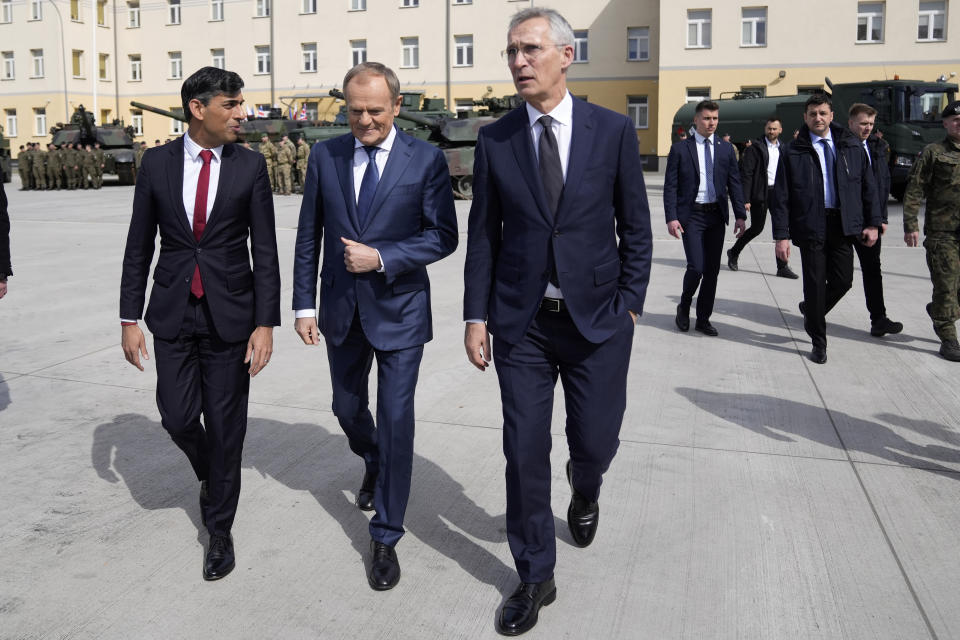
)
(703, 245)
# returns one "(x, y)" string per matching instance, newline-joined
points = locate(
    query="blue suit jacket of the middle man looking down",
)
(412, 222)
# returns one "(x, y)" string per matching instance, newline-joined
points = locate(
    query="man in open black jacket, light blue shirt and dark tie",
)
(824, 199)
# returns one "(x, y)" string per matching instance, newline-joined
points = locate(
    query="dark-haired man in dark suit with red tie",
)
(211, 316)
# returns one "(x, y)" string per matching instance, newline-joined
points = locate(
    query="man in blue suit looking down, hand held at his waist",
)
(378, 205)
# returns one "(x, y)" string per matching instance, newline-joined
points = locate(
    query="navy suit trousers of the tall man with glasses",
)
(594, 389)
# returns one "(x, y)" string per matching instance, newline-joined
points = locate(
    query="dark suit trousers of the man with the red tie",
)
(197, 372)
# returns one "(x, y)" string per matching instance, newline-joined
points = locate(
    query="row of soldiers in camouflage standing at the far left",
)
(68, 167)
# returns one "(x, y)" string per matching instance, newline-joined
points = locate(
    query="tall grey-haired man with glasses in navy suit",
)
(556, 183)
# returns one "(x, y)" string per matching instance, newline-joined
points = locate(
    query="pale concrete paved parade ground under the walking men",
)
(755, 496)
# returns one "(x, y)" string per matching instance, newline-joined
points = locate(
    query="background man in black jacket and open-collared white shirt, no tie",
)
(758, 170)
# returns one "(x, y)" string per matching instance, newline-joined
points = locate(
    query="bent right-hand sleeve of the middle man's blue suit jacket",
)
(438, 225)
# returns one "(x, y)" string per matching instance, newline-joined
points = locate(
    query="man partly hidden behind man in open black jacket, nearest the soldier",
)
(861, 121)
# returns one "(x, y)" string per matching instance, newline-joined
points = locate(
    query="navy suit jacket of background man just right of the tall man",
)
(682, 180)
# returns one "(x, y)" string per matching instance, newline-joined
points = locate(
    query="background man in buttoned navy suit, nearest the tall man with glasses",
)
(701, 174)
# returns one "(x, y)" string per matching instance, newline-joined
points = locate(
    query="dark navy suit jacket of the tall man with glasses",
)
(512, 233)
